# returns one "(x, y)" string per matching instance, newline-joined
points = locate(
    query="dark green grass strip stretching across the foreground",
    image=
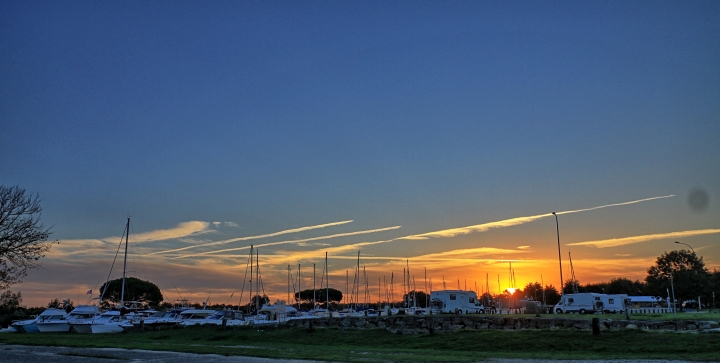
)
(378, 345)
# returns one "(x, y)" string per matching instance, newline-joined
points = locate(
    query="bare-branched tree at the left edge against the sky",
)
(23, 238)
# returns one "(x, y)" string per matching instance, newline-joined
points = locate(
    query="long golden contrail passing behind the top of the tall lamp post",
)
(512, 221)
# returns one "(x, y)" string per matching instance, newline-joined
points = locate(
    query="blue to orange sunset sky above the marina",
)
(433, 136)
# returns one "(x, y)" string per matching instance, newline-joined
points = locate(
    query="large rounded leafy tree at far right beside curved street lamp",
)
(690, 277)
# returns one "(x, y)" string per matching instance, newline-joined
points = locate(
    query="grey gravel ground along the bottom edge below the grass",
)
(32, 354)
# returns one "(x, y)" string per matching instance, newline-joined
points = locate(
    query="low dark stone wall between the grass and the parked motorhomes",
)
(425, 324)
